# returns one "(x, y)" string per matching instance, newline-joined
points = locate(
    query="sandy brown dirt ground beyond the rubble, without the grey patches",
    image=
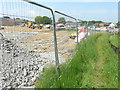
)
(44, 40)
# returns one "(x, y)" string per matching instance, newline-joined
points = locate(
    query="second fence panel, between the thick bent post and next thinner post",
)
(66, 31)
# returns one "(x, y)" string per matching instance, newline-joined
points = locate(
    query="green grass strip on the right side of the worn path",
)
(111, 64)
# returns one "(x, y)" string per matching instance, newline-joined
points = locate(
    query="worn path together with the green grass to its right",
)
(107, 64)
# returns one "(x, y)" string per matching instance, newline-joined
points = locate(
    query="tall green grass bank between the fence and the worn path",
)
(73, 75)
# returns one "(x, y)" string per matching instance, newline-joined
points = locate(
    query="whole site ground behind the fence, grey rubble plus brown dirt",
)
(26, 52)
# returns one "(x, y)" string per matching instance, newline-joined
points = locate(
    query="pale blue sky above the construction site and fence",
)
(104, 10)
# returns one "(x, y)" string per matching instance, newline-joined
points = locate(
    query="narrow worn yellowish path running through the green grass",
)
(98, 78)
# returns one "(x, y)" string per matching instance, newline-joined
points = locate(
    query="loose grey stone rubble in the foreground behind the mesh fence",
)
(20, 67)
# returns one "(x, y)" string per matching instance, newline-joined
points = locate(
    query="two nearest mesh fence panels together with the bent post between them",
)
(29, 43)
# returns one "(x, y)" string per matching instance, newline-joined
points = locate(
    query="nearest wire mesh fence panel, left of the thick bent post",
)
(27, 45)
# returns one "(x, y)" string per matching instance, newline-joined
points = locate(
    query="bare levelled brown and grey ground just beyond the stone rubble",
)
(39, 40)
